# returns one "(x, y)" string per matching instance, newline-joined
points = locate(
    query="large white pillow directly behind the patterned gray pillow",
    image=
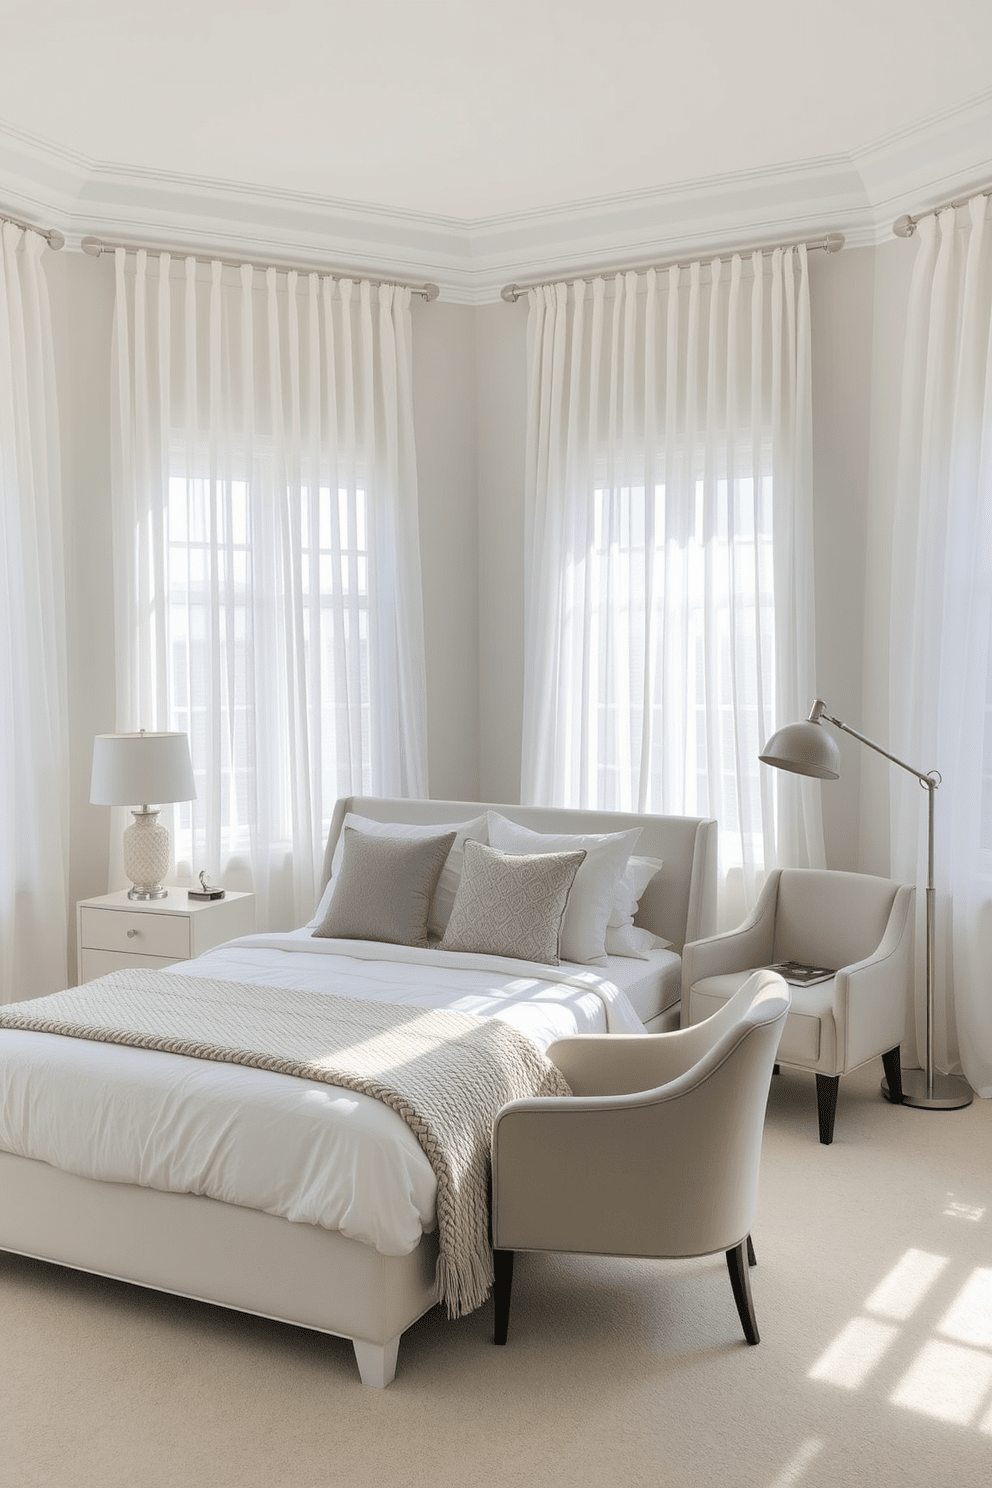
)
(596, 888)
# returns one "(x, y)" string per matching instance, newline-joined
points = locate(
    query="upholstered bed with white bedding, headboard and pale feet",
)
(318, 1267)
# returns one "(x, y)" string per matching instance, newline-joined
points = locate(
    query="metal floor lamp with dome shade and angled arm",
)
(807, 749)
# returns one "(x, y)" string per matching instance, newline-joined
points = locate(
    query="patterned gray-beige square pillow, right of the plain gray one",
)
(512, 905)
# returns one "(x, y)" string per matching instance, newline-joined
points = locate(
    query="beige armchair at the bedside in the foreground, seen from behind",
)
(655, 1154)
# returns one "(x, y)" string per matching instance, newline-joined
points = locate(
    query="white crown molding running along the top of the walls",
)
(472, 260)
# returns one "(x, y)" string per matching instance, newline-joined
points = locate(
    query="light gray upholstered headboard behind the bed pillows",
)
(680, 902)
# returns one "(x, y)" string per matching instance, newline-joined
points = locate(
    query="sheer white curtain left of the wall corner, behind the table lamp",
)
(268, 565)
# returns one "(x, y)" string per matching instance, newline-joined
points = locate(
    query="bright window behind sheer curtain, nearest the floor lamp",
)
(680, 617)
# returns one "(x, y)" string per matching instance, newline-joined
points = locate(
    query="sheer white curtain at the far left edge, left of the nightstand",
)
(33, 690)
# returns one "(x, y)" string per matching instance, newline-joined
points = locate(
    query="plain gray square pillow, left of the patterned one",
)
(384, 889)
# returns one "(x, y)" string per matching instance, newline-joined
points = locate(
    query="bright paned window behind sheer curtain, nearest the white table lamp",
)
(225, 633)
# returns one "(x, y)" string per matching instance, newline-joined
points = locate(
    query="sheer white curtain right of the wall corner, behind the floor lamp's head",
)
(670, 587)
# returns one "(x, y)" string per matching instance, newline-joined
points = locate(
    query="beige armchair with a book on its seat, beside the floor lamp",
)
(856, 925)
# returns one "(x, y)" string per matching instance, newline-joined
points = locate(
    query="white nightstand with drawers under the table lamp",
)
(115, 932)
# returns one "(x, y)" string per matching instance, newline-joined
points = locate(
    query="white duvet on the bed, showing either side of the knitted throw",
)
(295, 1148)
